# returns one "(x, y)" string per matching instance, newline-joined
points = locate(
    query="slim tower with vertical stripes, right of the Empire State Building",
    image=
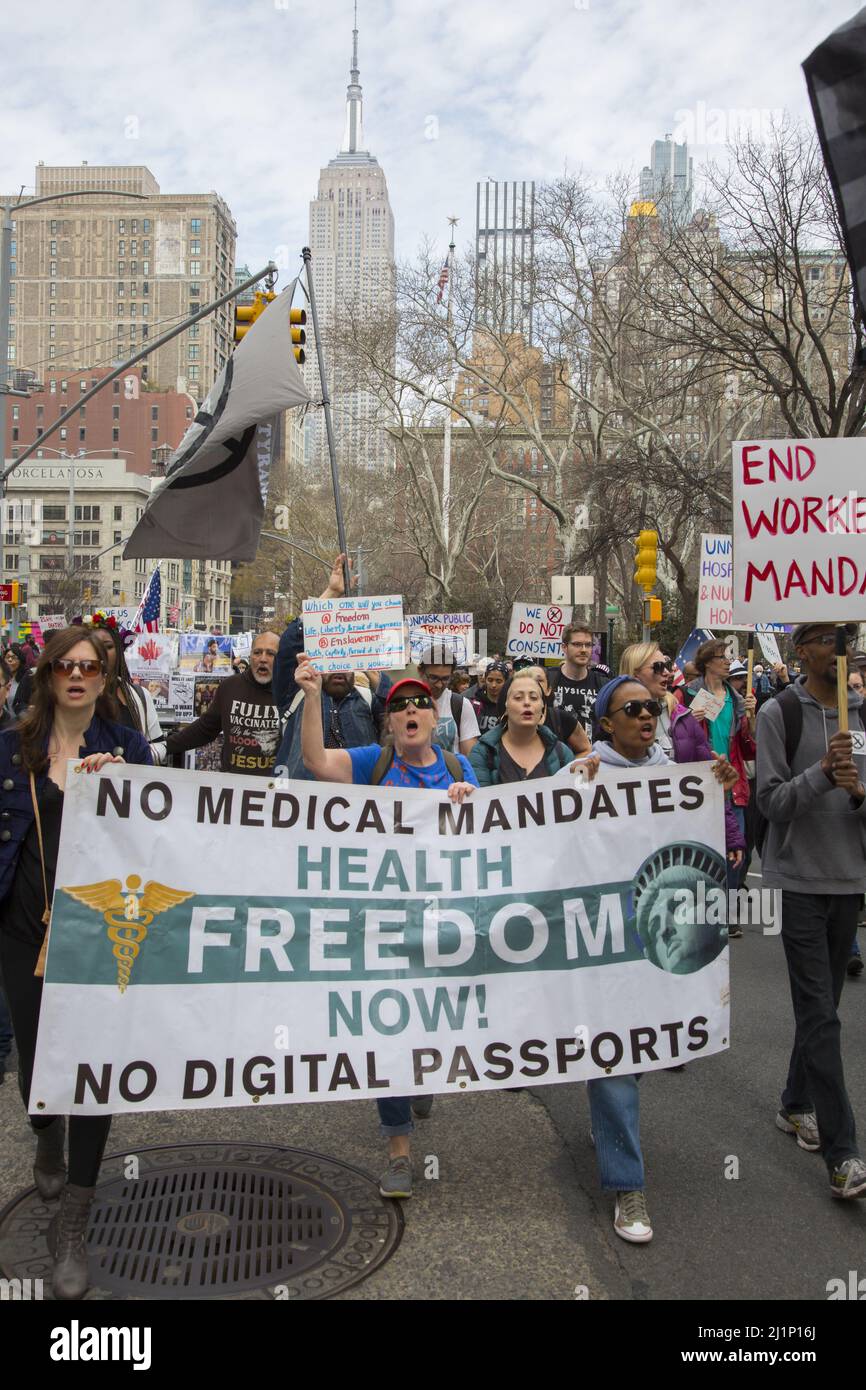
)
(505, 216)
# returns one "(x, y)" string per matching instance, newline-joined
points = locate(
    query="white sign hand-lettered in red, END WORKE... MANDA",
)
(800, 530)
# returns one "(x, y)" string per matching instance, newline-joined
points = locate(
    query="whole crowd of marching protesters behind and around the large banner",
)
(793, 794)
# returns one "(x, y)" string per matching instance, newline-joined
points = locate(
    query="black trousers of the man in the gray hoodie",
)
(818, 932)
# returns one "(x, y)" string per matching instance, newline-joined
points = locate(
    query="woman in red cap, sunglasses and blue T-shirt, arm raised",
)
(411, 760)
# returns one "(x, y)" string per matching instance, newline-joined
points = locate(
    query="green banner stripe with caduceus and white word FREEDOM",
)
(219, 940)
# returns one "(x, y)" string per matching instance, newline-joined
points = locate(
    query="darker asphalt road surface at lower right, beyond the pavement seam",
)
(772, 1234)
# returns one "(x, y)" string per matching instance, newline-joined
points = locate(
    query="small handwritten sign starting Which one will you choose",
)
(355, 635)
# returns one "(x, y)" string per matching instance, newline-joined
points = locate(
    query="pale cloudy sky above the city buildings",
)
(248, 98)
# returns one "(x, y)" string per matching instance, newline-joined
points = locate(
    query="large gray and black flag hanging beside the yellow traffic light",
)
(212, 504)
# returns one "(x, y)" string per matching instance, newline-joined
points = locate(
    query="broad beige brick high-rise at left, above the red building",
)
(95, 277)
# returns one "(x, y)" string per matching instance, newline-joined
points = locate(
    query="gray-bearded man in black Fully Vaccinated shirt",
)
(245, 712)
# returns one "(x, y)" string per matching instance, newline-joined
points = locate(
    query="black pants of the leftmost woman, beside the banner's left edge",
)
(88, 1134)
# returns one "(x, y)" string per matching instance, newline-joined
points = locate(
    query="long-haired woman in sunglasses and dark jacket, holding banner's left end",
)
(69, 719)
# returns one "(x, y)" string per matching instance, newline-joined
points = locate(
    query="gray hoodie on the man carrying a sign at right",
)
(817, 836)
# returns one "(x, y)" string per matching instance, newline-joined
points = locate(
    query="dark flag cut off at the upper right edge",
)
(836, 79)
